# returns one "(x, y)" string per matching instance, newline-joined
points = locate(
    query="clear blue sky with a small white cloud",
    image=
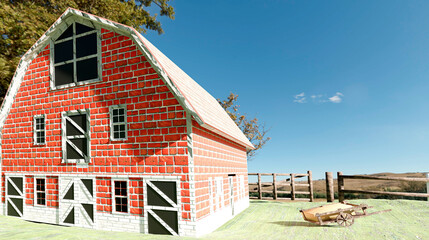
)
(362, 67)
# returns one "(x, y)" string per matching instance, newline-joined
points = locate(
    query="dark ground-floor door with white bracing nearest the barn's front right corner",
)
(162, 207)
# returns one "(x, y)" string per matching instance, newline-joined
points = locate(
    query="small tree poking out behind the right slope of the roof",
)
(252, 129)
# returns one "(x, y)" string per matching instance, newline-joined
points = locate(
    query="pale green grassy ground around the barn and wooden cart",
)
(263, 220)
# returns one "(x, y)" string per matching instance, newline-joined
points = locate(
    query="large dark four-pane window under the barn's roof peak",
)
(75, 56)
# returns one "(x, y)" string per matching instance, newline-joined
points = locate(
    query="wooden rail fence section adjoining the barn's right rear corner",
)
(276, 184)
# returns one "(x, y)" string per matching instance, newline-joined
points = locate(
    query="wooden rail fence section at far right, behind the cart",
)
(342, 177)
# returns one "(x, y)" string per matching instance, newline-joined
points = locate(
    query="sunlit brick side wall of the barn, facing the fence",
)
(215, 156)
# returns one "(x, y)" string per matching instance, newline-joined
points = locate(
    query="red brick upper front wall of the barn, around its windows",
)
(156, 121)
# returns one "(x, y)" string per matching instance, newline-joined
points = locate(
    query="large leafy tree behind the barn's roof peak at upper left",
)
(22, 22)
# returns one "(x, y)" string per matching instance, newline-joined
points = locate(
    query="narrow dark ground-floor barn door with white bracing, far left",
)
(15, 196)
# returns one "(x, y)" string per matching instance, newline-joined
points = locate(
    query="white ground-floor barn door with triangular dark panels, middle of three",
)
(77, 202)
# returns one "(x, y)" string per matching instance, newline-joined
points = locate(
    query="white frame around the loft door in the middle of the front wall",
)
(64, 136)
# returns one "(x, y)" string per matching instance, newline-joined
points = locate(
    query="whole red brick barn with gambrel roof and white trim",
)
(101, 130)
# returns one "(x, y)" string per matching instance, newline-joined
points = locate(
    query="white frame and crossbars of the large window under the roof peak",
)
(64, 27)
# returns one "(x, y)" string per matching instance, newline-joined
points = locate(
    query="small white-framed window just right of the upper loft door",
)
(118, 122)
